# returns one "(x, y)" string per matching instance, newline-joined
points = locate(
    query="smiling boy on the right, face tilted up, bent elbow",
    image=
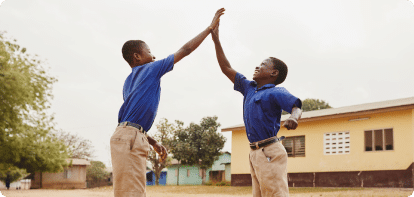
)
(262, 108)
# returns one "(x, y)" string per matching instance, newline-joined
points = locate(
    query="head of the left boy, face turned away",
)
(136, 53)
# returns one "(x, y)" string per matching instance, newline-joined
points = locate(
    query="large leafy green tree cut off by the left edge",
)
(25, 91)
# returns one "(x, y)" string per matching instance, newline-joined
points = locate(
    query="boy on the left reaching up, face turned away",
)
(141, 93)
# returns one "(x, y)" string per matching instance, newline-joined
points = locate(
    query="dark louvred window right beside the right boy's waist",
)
(295, 146)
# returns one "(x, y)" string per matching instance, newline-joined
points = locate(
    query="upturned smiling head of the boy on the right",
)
(271, 70)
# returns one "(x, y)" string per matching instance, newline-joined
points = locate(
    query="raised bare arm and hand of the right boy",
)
(221, 58)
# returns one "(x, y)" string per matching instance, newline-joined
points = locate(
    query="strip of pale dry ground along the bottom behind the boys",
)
(213, 191)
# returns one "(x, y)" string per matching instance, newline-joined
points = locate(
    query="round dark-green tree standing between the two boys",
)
(198, 144)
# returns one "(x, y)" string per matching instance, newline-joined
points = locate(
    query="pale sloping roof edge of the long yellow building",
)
(404, 102)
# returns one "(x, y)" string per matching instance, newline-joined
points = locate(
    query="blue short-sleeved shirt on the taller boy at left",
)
(142, 92)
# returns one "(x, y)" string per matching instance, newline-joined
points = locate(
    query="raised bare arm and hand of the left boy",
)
(191, 45)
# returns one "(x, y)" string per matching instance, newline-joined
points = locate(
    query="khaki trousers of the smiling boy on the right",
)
(268, 167)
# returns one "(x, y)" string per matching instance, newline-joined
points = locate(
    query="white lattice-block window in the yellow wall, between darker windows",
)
(336, 143)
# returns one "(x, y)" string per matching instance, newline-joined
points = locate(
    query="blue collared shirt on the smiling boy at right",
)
(262, 108)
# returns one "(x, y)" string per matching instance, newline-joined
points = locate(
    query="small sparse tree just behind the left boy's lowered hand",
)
(164, 136)
